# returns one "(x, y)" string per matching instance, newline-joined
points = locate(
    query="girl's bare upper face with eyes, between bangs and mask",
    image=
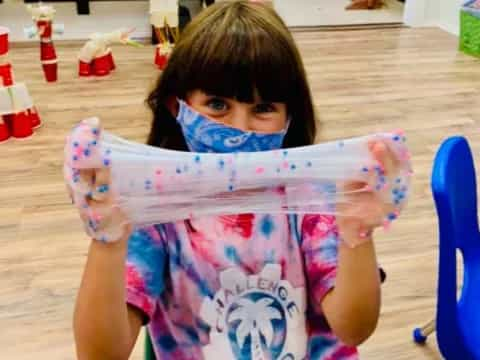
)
(260, 116)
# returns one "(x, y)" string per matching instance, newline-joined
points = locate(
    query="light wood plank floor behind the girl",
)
(363, 81)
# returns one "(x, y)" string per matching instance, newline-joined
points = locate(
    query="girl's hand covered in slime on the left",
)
(103, 218)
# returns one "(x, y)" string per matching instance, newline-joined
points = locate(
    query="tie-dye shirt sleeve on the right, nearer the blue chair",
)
(320, 249)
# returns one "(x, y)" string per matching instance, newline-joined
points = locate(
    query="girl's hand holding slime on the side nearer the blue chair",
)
(365, 210)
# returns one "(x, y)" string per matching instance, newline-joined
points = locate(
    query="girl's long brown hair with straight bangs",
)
(232, 50)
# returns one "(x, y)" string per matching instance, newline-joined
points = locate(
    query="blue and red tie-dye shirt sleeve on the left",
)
(144, 271)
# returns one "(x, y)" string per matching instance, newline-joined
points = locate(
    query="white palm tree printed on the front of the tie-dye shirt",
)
(255, 320)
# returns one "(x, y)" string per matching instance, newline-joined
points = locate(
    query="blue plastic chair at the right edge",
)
(454, 189)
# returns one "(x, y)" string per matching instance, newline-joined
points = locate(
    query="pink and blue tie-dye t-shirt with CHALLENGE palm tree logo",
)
(237, 287)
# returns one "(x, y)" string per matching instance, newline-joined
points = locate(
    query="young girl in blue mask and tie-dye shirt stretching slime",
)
(247, 286)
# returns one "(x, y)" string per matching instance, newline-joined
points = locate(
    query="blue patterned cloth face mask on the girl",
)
(204, 135)
